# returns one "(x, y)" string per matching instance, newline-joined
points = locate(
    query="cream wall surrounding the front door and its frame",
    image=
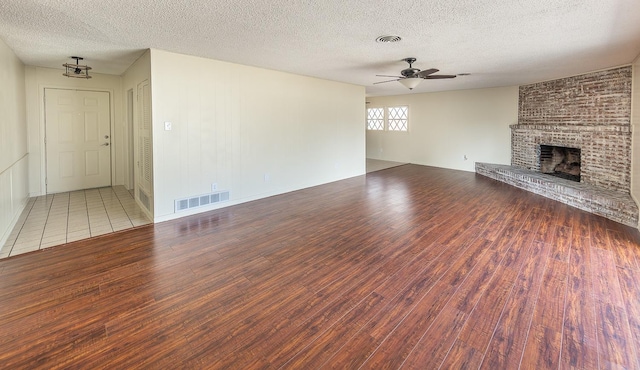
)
(37, 79)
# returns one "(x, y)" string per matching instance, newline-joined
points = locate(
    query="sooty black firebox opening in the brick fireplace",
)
(560, 161)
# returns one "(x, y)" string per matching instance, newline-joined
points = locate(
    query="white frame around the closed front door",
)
(43, 149)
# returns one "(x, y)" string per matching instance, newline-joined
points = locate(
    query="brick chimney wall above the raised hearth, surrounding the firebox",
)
(590, 112)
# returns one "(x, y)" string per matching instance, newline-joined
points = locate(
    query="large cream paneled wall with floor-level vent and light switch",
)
(252, 131)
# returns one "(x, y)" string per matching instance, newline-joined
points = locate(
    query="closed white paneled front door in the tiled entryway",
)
(77, 139)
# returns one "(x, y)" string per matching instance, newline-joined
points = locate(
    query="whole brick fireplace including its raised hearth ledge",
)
(589, 113)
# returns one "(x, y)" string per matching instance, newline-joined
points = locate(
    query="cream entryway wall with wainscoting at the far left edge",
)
(13, 141)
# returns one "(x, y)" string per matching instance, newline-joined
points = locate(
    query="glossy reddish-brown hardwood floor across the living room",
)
(411, 267)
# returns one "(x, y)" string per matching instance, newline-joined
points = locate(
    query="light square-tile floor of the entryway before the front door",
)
(61, 218)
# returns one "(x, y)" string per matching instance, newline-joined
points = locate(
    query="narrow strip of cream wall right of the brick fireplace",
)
(635, 122)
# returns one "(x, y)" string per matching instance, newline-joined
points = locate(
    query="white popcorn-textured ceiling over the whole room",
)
(500, 42)
